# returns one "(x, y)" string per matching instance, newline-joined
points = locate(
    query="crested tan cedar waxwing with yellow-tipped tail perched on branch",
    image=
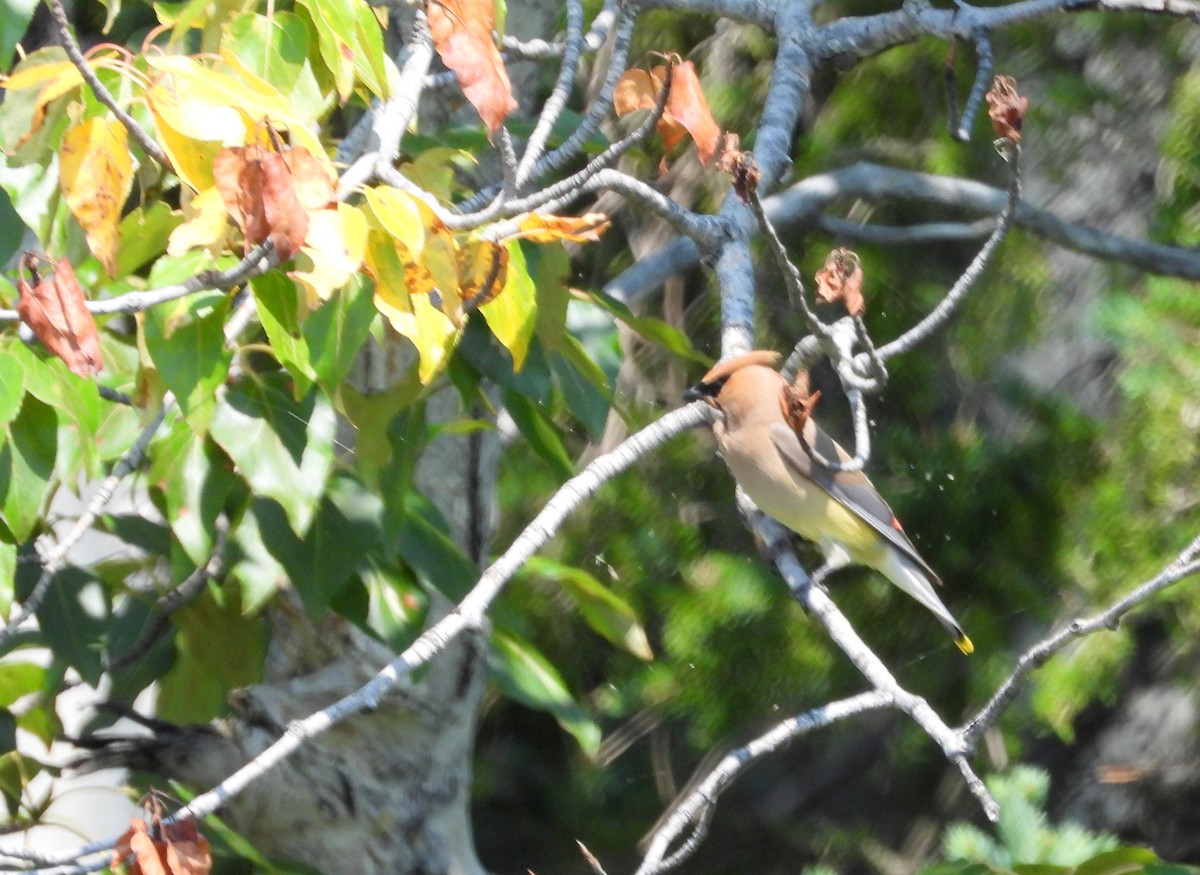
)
(841, 512)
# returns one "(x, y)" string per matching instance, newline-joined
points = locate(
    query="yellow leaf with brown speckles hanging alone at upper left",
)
(97, 172)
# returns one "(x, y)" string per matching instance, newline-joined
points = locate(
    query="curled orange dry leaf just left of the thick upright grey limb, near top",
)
(687, 112)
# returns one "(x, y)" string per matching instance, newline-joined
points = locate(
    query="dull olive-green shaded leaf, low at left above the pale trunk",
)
(220, 650)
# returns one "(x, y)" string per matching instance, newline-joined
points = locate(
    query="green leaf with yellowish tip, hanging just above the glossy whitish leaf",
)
(187, 343)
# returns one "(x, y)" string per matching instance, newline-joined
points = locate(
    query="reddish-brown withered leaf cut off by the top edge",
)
(463, 35)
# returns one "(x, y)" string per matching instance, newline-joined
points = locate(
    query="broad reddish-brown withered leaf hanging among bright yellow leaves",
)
(269, 194)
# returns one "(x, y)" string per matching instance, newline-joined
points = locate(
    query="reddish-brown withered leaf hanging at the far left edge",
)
(55, 308)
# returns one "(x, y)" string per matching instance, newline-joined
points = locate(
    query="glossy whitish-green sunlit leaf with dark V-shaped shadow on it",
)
(281, 447)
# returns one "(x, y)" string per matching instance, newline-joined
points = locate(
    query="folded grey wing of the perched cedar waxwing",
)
(850, 489)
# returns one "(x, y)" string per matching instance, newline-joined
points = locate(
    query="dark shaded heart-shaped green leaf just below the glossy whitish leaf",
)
(347, 530)
